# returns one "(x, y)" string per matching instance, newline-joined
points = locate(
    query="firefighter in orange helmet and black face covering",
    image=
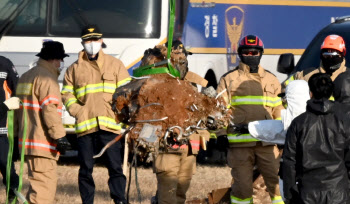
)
(332, 60)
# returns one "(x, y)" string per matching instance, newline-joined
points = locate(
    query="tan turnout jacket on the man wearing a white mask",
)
(87, 92)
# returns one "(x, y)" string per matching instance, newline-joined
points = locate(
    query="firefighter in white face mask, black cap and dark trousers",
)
(87, 94)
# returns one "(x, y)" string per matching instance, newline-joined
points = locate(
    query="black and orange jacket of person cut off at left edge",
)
(8, 82)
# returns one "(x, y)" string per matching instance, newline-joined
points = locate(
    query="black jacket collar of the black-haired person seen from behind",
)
(320, 106)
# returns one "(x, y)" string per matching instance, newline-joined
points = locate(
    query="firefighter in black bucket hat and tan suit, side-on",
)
(38, 88)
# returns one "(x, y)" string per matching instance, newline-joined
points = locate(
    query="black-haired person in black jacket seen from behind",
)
(316, 152)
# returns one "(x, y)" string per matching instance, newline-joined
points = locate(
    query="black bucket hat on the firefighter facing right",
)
(52, 50)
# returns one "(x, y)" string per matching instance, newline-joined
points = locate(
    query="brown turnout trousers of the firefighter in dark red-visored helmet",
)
(242, 161)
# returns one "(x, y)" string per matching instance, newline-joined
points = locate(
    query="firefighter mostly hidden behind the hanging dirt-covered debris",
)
(174, 168)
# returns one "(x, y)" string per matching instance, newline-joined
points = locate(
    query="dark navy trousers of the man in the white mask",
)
(88, 146)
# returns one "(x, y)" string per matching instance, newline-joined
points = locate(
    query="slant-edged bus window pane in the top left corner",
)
(31, 21)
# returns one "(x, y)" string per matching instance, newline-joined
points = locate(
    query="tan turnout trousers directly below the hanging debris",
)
(174, 173)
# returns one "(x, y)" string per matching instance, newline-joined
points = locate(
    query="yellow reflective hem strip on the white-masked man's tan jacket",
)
(92, 123)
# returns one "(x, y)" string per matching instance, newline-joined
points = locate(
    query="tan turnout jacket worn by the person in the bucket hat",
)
(39, 90)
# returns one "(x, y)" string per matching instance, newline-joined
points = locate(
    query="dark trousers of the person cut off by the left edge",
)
(4, 148)
